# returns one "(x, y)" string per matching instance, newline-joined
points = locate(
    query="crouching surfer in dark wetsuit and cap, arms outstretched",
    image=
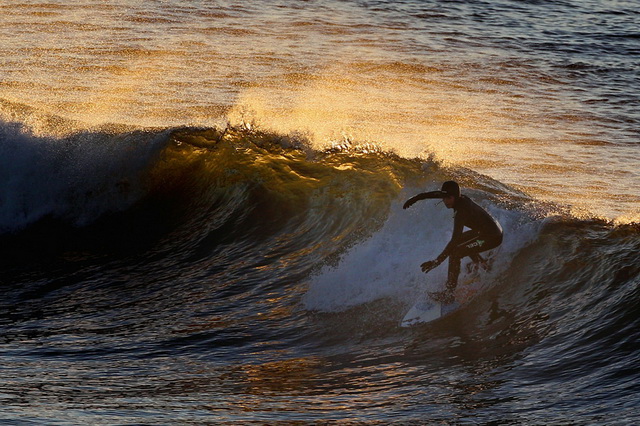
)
(485, 233)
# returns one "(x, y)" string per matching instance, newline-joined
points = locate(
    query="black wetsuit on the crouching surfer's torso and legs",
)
(485, 234)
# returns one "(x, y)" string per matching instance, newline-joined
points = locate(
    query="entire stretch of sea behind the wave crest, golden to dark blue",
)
(542, 95)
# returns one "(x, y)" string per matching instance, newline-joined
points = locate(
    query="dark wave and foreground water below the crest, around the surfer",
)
(238, 275)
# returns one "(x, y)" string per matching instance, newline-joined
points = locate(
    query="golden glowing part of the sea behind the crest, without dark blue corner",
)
(160, 65)
